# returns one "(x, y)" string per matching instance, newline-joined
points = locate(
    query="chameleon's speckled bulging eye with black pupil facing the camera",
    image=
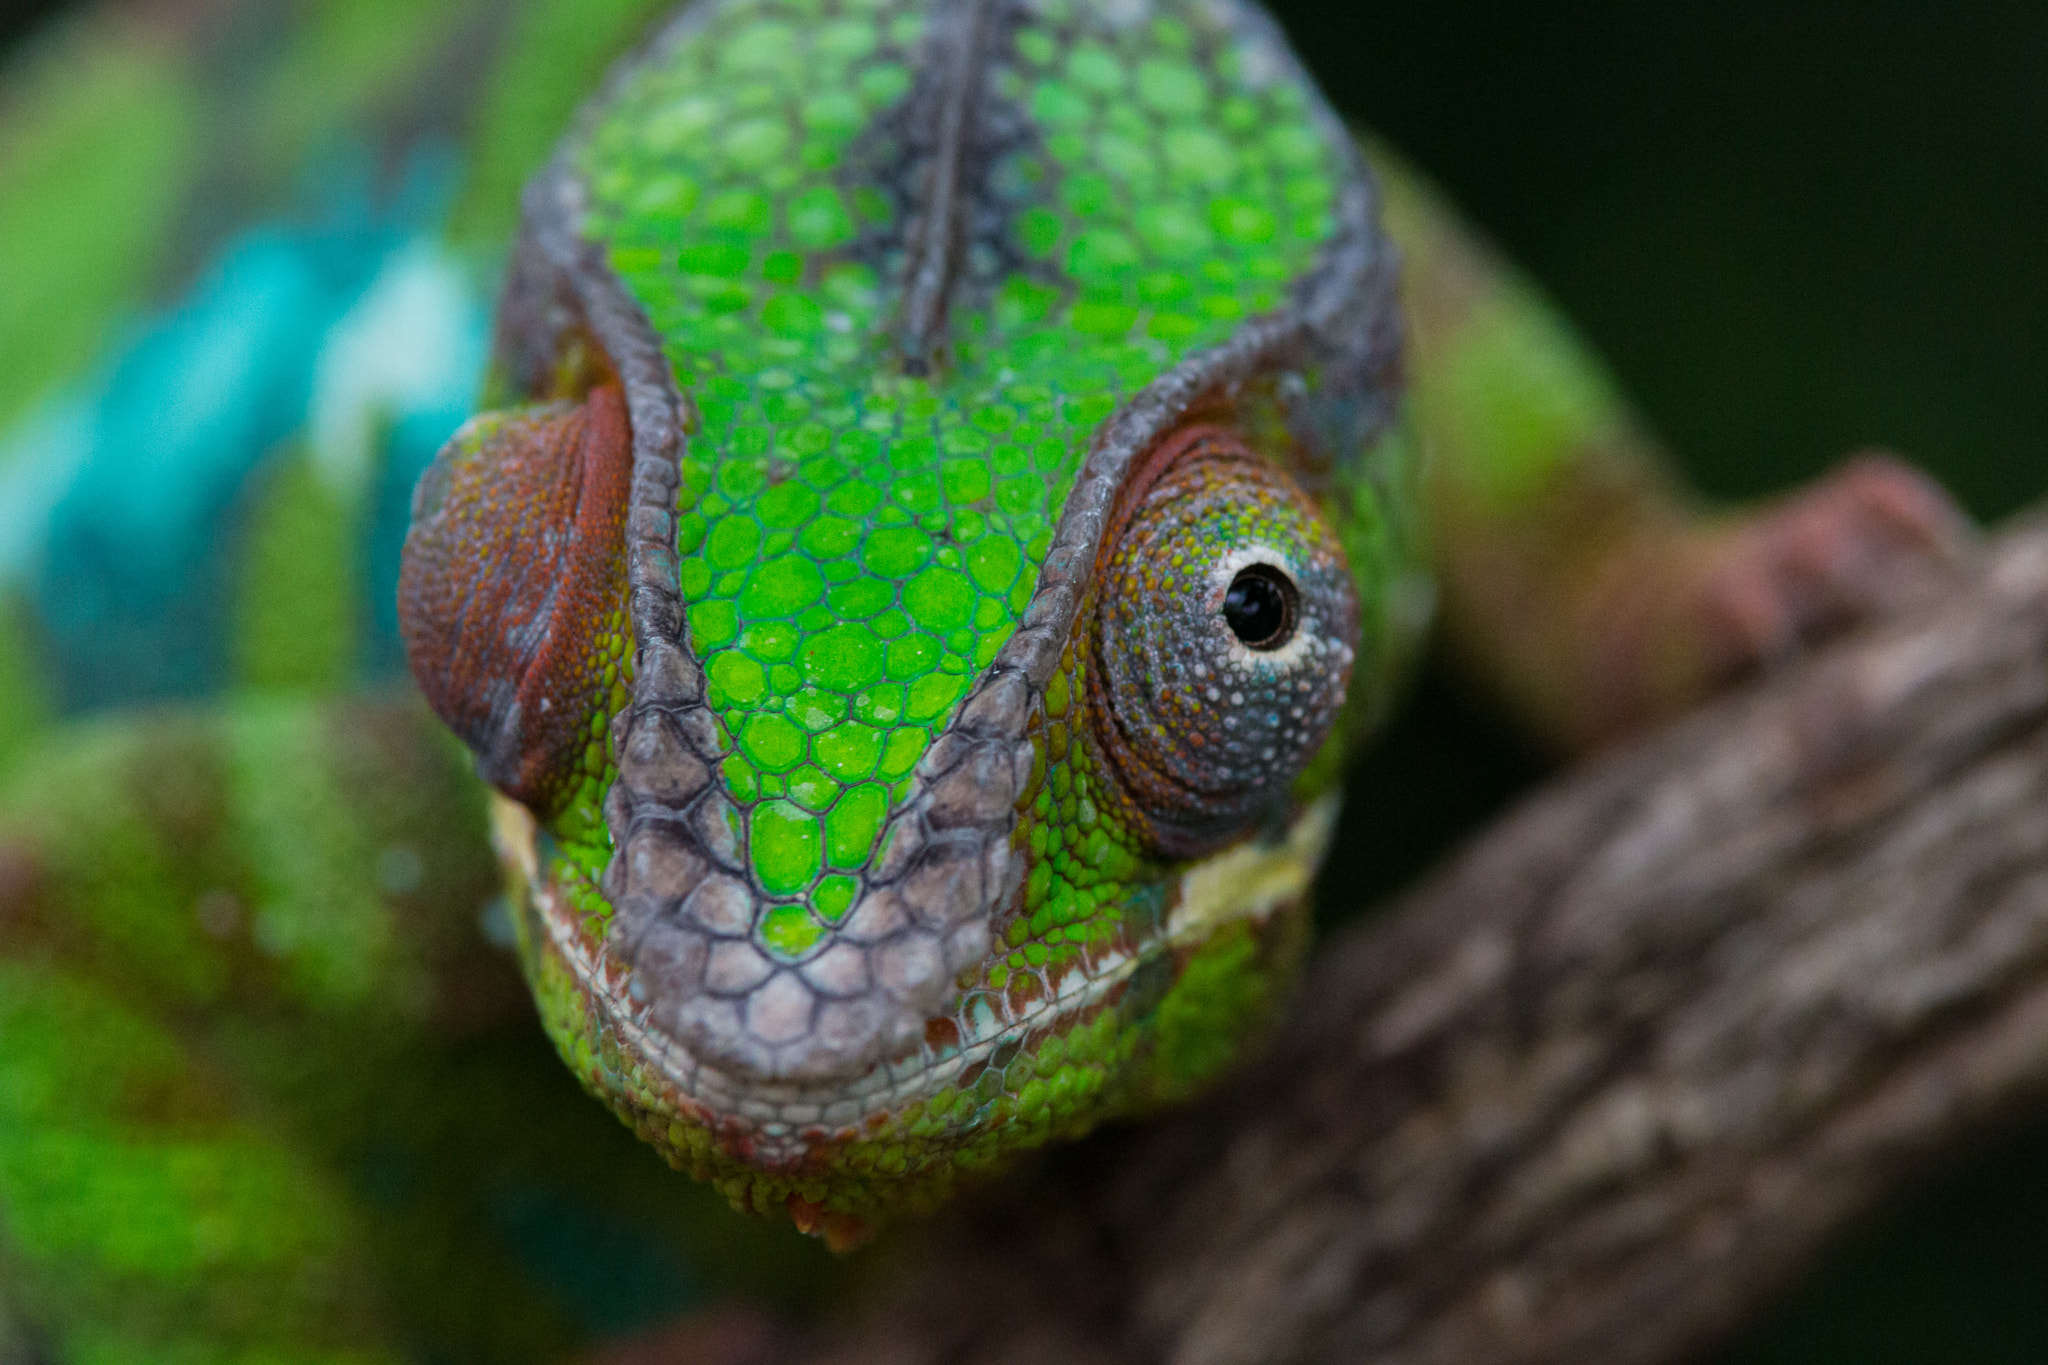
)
(1222, 642)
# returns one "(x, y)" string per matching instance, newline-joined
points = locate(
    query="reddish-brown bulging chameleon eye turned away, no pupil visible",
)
(513, 586)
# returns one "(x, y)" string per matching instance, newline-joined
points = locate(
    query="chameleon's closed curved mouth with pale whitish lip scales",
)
(783, 1122)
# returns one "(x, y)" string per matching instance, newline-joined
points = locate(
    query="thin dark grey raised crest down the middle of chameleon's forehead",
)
(962, 36)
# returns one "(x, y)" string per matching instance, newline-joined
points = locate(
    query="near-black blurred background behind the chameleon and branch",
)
(1795, 230)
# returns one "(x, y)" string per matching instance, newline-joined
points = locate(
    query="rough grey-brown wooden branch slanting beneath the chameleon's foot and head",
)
(1609, 1080)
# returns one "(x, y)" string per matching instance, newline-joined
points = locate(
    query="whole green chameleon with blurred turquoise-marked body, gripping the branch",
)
(953, 486)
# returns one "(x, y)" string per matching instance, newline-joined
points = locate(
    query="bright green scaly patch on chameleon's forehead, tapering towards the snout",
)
(857, 543)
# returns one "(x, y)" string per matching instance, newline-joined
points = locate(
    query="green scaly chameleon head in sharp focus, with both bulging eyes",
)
(945, 529)
